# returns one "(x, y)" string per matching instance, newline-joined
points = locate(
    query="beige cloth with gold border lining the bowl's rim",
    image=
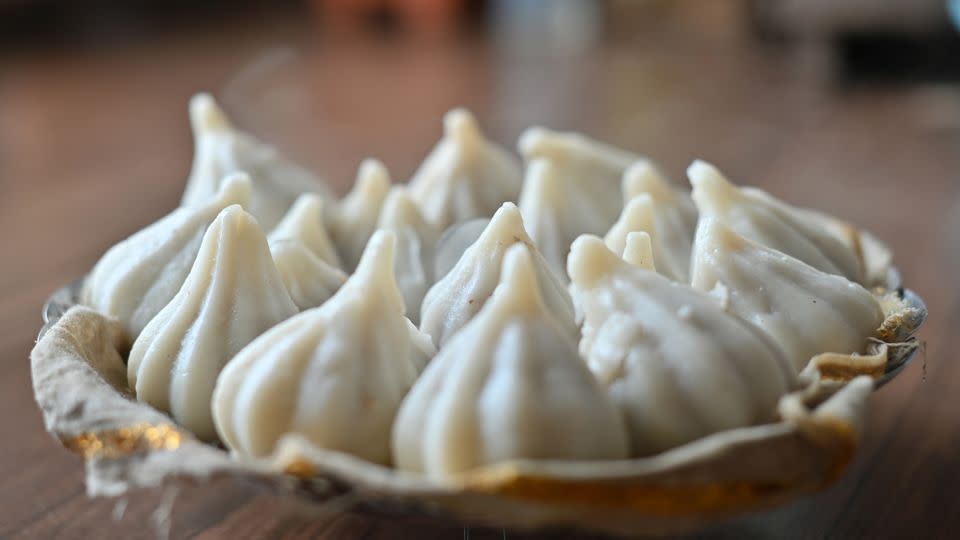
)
(79, 377)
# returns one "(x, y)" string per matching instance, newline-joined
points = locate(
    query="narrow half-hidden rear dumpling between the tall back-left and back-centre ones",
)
(353, 219)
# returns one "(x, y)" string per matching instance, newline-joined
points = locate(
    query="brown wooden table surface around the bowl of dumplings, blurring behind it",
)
(94, 144)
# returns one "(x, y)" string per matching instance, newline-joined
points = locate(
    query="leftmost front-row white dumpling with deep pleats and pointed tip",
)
(232, 295)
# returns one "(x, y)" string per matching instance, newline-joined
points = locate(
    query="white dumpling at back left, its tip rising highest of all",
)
(221, 149)
